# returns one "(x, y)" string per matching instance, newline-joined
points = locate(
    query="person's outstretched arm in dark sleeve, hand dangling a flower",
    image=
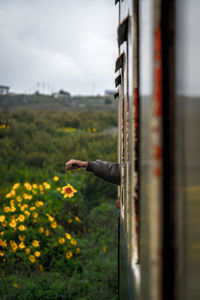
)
(106, 170)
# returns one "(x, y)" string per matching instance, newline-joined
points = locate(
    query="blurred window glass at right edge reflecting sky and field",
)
(188, 142)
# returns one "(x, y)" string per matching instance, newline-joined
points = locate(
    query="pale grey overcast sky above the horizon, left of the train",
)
(66, 44)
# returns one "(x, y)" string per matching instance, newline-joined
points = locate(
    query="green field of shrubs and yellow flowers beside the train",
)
(58, 229)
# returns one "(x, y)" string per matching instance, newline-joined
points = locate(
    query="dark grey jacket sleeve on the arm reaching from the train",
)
(106, 170)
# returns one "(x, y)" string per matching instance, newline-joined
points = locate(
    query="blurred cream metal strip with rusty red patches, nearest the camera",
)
(156, 170)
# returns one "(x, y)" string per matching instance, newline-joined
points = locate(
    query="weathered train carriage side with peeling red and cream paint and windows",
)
(159, 107)
